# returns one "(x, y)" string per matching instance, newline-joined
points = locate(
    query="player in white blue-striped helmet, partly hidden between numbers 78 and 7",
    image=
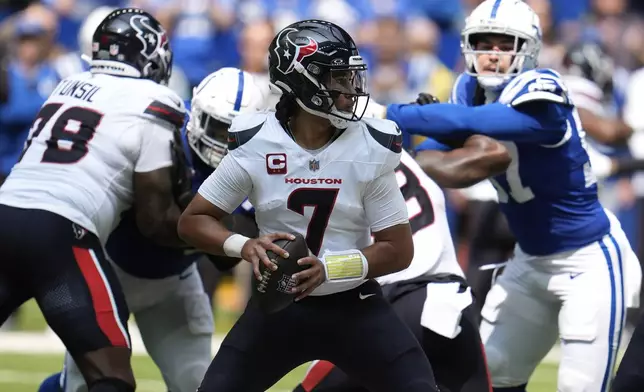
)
(162, 286)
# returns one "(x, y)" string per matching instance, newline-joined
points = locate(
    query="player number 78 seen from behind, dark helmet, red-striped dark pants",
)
(101, 142)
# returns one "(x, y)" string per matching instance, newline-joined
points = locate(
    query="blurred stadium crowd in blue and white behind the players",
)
(411, 46)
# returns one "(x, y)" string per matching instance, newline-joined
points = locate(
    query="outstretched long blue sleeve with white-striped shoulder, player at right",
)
(533, 107)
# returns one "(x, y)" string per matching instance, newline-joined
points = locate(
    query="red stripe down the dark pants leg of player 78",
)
(99, 289)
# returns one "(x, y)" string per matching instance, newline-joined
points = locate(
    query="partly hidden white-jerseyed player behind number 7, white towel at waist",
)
(431, 295)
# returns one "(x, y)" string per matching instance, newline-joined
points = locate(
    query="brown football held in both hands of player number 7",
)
(273, 292)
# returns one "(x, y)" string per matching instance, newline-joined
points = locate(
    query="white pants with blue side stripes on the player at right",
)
(578, 296)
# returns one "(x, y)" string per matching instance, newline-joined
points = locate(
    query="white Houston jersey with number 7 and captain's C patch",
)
(335, 196)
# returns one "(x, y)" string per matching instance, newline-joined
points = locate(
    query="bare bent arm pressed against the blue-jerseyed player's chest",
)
(479, 158)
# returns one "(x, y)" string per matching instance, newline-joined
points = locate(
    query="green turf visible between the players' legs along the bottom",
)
(24, 372)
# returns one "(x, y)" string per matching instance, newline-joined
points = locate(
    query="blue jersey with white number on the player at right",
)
(549, 193)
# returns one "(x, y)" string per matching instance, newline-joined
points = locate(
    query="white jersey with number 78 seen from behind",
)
(88, 139)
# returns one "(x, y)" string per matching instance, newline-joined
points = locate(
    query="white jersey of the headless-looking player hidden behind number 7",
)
(433, 246)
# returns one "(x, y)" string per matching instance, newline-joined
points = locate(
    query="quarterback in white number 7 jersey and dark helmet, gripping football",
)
(314, 151)
